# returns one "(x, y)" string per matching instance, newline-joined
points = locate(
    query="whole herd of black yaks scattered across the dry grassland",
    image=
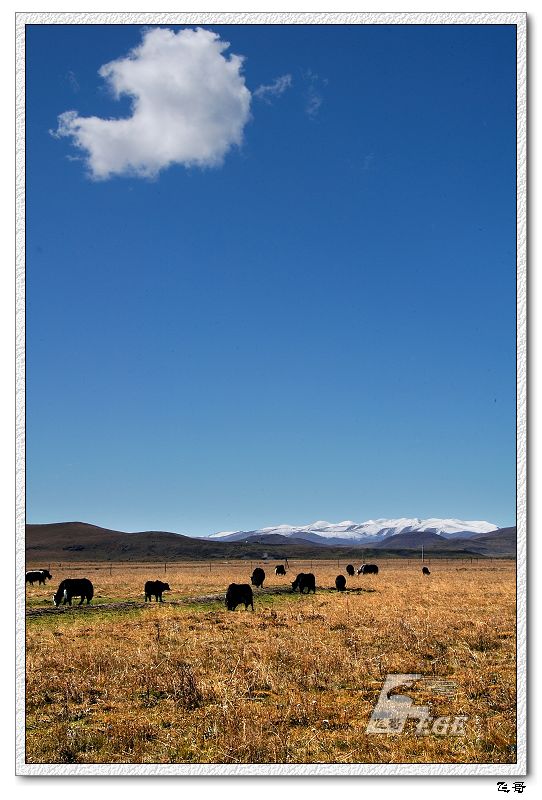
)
(236, 594)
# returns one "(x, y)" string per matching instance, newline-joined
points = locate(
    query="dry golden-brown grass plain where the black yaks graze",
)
(294, 682)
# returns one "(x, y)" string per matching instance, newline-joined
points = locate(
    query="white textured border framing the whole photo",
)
(298, 18)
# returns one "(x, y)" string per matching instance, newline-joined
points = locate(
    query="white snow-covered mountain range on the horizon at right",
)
(372, 531)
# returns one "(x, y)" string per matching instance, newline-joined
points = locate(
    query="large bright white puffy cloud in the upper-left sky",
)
(189, 106)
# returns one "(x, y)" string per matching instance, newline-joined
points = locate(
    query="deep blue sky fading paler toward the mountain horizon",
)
(301, 307)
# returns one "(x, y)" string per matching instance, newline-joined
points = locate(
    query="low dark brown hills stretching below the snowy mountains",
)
(79, 541)
